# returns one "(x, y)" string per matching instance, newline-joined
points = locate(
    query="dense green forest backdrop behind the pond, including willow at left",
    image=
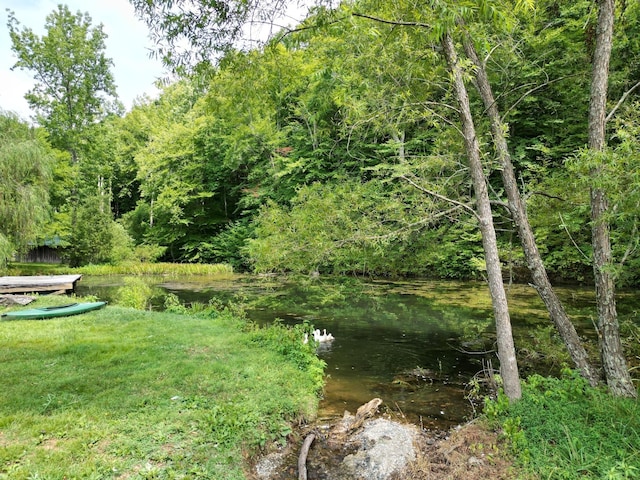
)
(336, 147)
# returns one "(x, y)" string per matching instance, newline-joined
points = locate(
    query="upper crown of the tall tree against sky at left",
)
(73, 81)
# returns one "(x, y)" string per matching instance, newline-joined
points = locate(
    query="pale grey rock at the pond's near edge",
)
(386, 448)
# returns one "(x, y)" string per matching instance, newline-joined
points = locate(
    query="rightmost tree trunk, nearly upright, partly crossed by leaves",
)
(613, 361)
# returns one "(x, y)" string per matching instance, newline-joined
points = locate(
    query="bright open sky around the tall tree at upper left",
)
(127, 45)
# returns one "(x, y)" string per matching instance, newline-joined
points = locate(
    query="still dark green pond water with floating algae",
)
(415, 344)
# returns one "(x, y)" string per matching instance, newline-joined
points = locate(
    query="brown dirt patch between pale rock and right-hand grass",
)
(470, 452)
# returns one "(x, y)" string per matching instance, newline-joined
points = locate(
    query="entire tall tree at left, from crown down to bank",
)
(71, 96)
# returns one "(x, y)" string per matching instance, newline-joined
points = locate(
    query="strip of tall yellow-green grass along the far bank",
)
(125, 268)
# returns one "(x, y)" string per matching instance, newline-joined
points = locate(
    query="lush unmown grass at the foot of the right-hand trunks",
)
(563, 429)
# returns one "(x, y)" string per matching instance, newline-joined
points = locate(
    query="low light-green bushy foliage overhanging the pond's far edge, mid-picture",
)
(360, 228)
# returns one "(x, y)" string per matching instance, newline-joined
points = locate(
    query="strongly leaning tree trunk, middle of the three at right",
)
(518, 212)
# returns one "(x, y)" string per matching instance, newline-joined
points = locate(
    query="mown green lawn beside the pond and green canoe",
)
(125, 394)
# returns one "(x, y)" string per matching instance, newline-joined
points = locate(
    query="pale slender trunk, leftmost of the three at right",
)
(506, 348)
